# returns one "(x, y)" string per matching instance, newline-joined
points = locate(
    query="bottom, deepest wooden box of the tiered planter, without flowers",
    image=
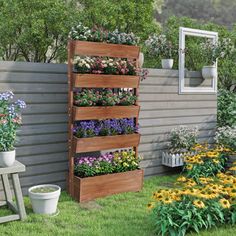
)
(86, 189)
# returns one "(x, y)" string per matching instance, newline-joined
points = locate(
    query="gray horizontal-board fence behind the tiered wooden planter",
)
(42, 143)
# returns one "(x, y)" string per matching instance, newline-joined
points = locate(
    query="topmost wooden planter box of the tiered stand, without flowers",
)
(105, 49)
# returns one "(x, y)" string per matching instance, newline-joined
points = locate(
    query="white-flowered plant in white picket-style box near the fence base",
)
(182, 140)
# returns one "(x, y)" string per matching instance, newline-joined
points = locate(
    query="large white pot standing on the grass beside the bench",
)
(44, 203)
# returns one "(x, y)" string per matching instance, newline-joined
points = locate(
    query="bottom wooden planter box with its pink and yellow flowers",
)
(107, 174)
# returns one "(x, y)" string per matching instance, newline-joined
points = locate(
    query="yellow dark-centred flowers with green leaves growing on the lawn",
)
(204, 198)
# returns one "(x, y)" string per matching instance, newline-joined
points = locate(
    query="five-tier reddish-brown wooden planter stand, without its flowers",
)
(84, 189)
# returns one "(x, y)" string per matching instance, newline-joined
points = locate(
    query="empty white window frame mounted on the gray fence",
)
(183, 32)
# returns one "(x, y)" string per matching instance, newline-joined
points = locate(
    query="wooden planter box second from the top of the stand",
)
(105, 81)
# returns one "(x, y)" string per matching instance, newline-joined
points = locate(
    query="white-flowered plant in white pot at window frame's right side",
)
(212, 51)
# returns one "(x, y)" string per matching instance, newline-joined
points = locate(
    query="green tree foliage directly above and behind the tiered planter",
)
(126, 15)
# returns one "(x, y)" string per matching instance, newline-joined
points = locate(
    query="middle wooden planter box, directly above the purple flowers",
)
(109, 112)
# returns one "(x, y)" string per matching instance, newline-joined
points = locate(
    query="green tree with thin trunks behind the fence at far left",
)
(36, 30)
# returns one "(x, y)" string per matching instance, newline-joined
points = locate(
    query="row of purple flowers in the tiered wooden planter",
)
(83, 129)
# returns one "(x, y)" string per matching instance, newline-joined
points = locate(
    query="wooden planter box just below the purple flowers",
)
(105, 142)
